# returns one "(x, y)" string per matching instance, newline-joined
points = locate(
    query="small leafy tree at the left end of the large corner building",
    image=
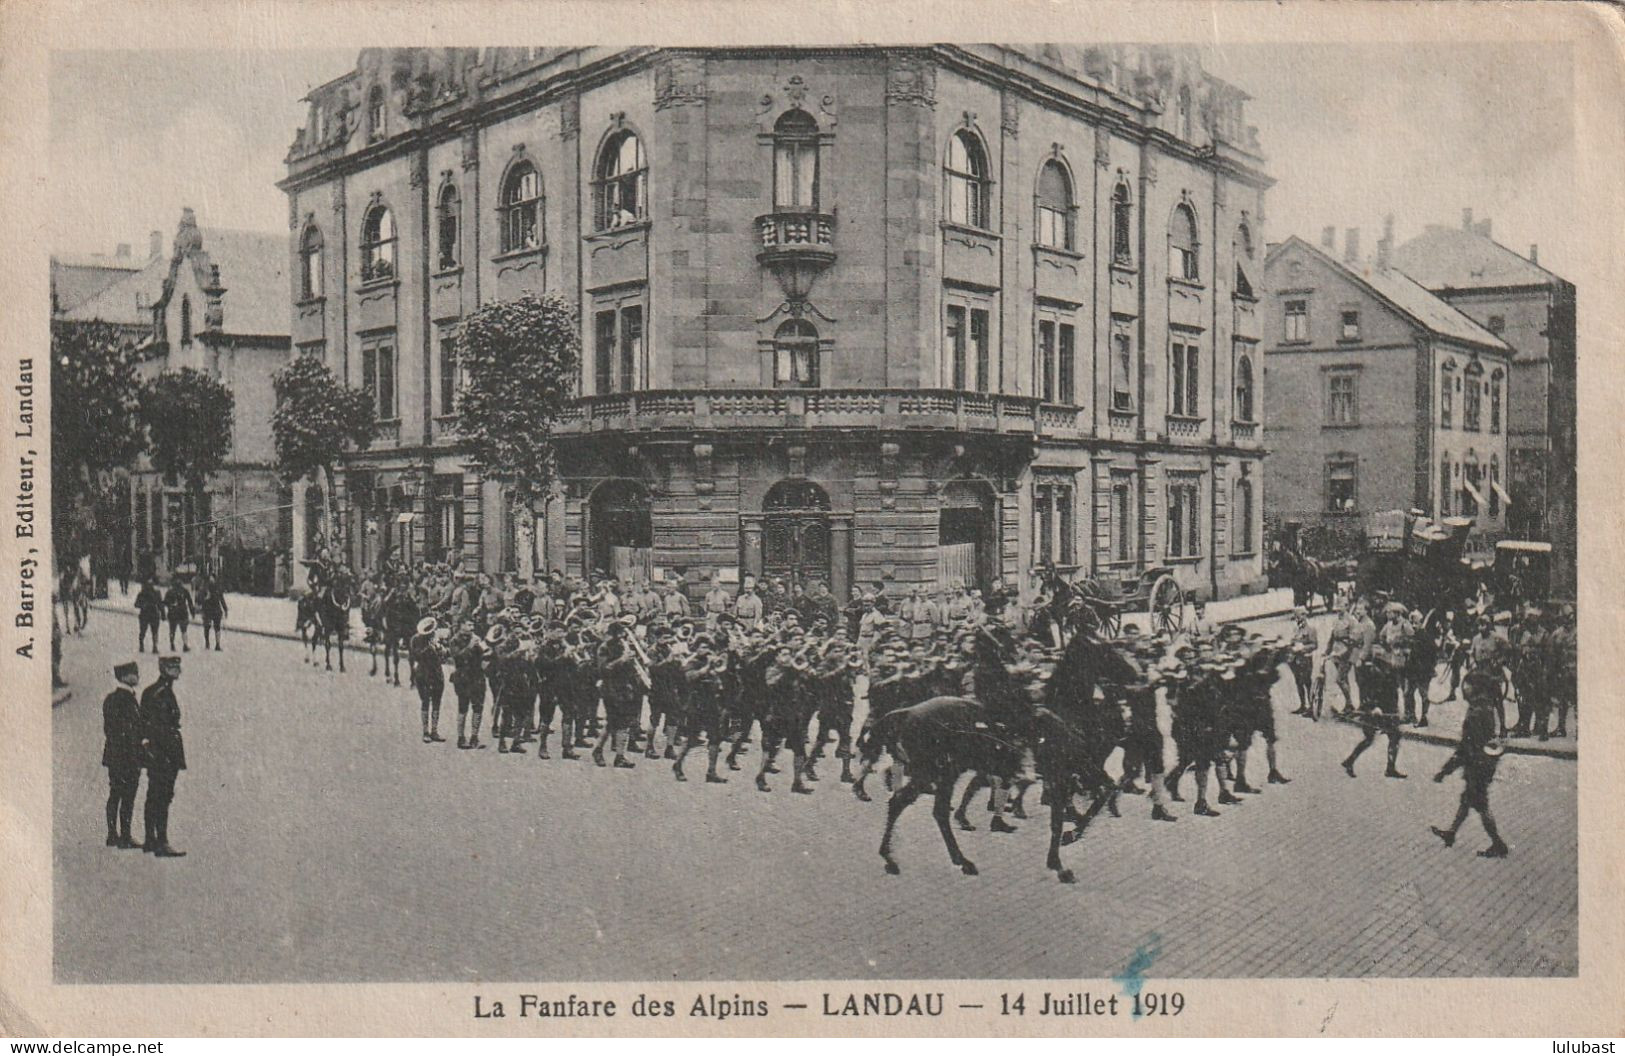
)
(318, 418)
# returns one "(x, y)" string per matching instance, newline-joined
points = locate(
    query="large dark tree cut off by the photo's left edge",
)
(95, 425)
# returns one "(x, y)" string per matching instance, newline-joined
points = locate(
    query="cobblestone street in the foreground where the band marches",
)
(327, 842)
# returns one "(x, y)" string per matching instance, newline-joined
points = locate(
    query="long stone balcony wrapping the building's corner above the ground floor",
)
(820, 409)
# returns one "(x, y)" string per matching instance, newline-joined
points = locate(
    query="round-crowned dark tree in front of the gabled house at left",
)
(188, 417)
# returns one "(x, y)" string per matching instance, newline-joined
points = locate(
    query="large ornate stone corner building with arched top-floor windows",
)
(847, 314)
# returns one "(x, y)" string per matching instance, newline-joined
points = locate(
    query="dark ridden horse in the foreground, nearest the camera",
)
(1070, 737)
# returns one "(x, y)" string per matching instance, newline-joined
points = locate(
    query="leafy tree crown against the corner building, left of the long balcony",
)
(521, 361)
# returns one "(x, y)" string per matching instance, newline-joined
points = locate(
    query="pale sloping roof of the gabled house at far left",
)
(253, 269)
